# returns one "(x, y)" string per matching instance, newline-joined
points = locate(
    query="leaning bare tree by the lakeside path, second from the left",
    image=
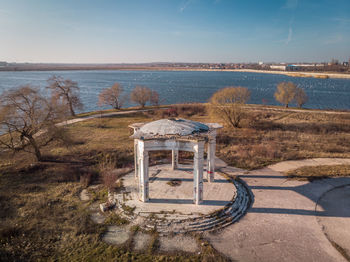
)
(67, 91)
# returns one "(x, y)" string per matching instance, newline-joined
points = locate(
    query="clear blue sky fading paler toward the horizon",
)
(138, 31)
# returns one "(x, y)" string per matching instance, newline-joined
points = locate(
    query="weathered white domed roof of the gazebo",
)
(170, 128)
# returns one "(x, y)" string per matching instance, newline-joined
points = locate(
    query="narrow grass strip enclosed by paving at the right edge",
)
(318, 172)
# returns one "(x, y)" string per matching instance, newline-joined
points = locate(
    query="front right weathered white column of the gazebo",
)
(198, 172)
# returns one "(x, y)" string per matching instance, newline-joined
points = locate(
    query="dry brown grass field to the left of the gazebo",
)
(41, 216)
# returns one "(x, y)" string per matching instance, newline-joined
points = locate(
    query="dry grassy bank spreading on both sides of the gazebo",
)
(42, 218)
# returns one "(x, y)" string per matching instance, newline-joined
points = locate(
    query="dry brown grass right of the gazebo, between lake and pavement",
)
(270, 136)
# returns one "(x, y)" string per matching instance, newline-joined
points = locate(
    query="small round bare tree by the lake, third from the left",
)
(112, 96)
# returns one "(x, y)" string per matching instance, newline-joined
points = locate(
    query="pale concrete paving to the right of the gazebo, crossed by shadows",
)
(289, 218)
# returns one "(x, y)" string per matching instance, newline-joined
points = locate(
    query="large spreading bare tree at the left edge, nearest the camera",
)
(27, 121)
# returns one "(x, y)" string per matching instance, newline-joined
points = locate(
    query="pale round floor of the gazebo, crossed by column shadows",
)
(171, 191)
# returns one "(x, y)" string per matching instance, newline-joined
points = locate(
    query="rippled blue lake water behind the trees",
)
(188, 86)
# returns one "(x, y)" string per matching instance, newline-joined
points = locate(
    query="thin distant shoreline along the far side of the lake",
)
(322, 75)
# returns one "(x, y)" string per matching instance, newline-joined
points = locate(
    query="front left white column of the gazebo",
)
(143, 172)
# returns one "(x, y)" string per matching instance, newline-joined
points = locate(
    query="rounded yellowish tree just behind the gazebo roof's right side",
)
(227, 104)
